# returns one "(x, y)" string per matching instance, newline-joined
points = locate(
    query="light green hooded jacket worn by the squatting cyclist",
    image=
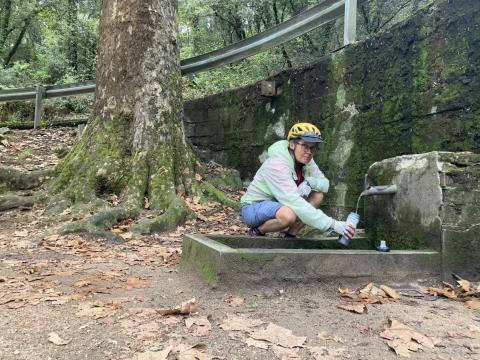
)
(275, 180)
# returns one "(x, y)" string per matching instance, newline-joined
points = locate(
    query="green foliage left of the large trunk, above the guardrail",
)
(47, 42)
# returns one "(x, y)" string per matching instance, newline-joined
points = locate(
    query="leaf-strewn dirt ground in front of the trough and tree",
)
(75, 297)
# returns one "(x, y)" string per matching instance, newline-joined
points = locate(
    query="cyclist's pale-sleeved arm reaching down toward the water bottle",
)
(278, 178)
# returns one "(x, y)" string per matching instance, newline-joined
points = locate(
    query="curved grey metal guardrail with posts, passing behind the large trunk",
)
(300, 24)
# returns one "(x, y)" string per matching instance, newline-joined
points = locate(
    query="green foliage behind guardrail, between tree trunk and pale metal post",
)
(207, 25)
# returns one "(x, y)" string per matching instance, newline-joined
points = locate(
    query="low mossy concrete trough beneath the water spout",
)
(222, 259)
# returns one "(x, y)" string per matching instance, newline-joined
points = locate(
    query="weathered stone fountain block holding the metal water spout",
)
(437, 206)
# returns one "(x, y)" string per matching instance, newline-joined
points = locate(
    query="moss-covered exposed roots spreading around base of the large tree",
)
(104, 218)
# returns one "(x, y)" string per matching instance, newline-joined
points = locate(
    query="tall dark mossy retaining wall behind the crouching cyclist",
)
(412, 89)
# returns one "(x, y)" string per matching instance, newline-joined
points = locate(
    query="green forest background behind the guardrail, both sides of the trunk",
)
(55, 42)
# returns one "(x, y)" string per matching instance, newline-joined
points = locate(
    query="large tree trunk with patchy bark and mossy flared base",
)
(134, 146)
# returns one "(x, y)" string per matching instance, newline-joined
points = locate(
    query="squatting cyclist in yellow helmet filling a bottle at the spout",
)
(288, 189)
